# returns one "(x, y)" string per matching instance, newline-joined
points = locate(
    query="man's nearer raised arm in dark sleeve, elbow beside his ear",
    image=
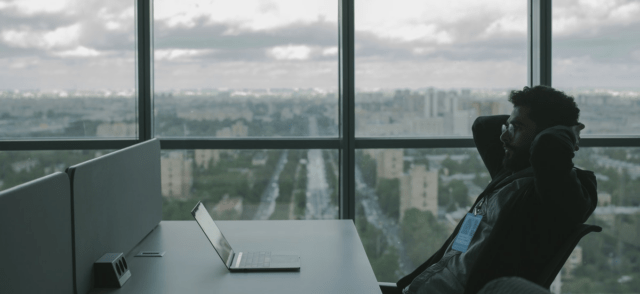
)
(556, 181)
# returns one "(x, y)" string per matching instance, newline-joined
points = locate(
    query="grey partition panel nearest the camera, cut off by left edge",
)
(35, 237)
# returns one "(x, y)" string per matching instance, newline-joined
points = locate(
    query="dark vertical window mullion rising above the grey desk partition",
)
(144, 25)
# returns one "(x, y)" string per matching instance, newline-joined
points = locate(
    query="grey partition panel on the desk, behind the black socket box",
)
(117, 201)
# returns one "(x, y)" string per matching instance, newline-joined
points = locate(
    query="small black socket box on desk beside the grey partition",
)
(111, 271)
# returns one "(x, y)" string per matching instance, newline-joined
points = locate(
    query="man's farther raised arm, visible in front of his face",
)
(486, 135)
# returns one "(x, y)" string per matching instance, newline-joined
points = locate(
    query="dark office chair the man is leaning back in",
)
(548, 274)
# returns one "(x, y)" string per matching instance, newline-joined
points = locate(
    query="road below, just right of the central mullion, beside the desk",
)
(378, 219)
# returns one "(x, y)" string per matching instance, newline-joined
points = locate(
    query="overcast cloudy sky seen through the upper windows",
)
(90, 44)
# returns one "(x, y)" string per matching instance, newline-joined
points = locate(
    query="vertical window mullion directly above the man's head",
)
(539, 57)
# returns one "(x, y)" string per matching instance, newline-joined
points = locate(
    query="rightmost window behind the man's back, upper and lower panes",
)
(595, 59)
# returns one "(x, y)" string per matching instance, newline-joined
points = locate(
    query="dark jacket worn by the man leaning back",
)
(538, 217)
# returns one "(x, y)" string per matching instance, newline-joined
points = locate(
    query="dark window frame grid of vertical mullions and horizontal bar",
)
(538, 73)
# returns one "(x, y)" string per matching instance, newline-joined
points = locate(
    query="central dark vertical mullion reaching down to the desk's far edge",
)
(347, 111)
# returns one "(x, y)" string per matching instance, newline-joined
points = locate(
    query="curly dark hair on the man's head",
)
(547, 106)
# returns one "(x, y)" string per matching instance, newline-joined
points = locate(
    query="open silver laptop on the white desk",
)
(242, 261)
